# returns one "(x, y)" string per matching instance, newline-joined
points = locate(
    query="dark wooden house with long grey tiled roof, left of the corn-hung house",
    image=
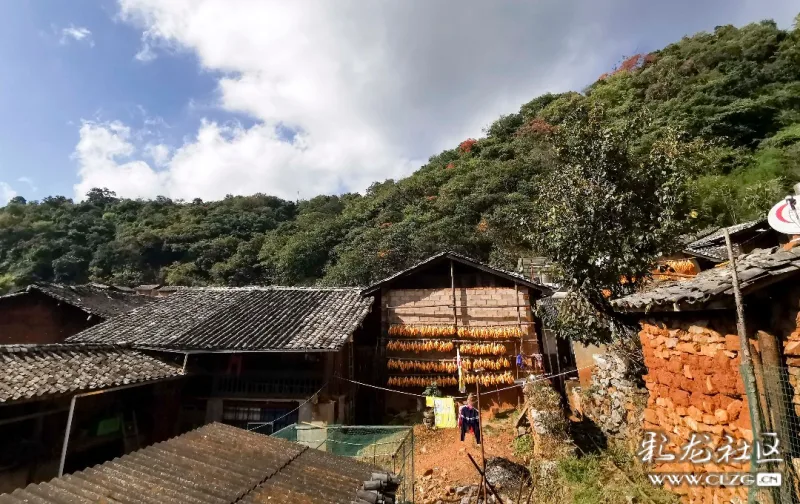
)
(254, 354)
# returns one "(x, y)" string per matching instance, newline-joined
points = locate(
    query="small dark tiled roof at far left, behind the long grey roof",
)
(102, 300)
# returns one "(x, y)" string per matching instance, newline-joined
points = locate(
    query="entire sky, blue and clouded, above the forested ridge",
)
(239, 96)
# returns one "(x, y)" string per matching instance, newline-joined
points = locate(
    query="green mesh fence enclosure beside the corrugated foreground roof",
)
(390, 448)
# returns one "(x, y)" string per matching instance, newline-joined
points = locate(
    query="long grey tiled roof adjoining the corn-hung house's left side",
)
(241, 318)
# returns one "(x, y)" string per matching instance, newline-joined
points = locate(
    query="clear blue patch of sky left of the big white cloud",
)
(51, 83)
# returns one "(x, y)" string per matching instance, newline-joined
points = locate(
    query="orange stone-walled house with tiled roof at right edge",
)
(693, 353)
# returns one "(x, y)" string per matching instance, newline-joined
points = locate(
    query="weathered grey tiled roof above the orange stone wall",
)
(756, 269)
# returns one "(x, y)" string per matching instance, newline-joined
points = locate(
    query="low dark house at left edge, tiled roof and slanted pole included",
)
(69, 406)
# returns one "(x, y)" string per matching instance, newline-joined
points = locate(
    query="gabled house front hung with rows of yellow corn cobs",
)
(449, 304)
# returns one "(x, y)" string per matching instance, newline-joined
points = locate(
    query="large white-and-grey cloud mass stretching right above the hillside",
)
(374, 87)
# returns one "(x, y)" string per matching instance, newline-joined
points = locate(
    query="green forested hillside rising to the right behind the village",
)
(731, 97)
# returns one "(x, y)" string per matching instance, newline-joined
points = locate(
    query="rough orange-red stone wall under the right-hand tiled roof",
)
(695, 386)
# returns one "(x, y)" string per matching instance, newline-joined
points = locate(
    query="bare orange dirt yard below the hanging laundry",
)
(441, 464)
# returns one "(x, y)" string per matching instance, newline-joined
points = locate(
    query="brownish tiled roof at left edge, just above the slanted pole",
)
(30, 371)
